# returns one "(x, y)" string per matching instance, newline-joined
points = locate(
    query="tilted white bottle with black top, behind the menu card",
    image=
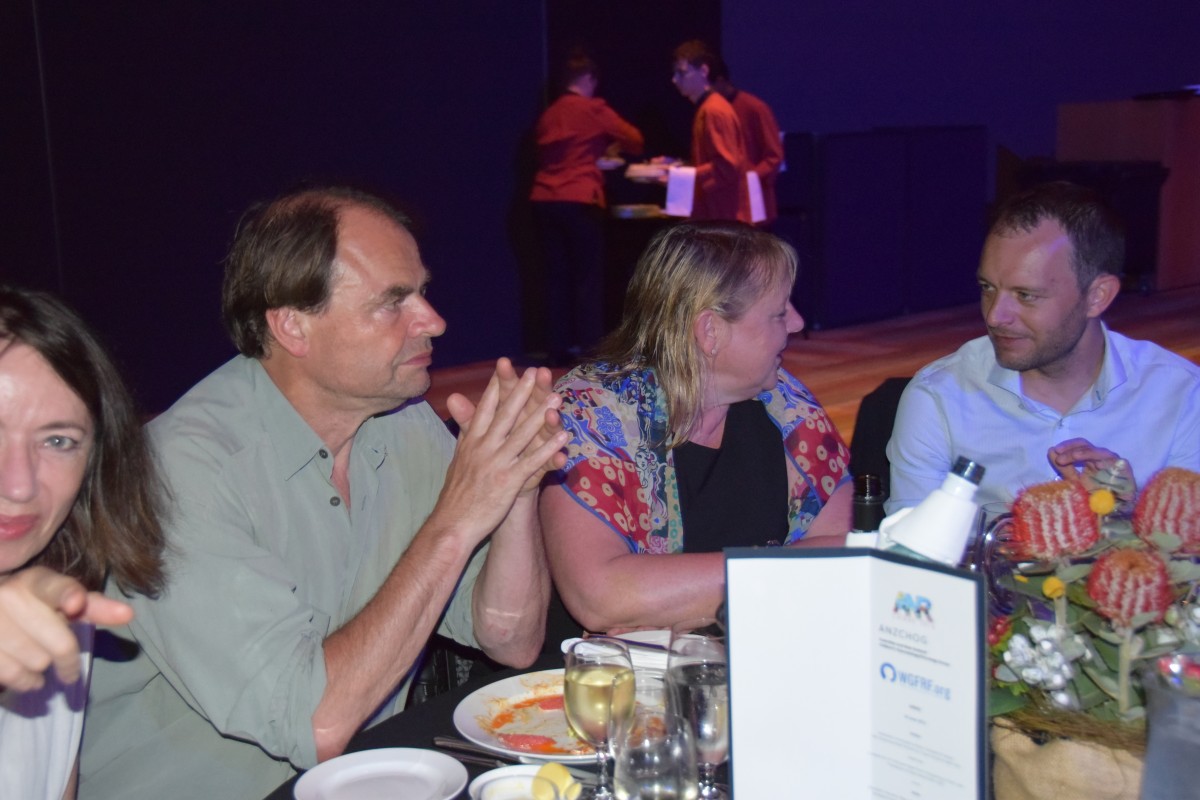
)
(938, 530)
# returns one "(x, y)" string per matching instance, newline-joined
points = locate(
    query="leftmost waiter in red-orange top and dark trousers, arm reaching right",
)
(568, 199)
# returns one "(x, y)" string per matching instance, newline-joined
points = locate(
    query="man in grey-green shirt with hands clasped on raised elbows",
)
(326, 522)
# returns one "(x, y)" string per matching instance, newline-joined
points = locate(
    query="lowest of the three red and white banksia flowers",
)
(1127, 584)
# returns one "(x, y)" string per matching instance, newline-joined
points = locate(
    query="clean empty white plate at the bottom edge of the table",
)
(385, 775)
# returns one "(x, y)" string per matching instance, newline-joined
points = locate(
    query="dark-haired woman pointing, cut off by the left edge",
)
(80, 503)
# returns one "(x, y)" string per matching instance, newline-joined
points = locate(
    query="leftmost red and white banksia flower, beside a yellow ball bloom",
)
(1053, 520)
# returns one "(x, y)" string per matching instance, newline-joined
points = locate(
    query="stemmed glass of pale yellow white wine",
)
(598, 694)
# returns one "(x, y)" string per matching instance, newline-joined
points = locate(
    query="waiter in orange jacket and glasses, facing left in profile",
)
(718, 148)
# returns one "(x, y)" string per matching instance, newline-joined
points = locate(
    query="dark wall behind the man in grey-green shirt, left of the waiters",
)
(169, 119)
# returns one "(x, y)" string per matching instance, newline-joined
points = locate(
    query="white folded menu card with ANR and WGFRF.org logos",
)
(855, 673)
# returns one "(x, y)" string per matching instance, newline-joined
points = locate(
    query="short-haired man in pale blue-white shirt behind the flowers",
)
(1049, 392)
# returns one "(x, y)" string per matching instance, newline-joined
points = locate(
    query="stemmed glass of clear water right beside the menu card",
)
(698, 681)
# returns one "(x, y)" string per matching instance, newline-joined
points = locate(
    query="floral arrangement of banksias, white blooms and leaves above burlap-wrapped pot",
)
(1084, 593)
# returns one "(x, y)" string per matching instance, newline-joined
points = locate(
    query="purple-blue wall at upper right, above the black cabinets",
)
(845, 65)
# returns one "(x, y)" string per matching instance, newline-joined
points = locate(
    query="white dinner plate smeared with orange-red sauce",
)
(536, 705)
